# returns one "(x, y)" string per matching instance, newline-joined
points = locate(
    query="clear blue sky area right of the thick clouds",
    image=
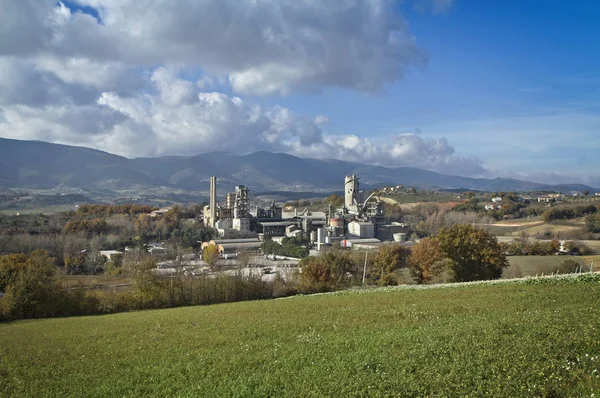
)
(499, 75)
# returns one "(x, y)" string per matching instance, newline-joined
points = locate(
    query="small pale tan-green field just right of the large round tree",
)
(521, 266)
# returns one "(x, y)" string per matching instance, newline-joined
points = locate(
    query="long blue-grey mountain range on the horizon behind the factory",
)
(42, 165)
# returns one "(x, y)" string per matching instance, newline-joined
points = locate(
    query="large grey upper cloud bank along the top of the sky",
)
(261, 47)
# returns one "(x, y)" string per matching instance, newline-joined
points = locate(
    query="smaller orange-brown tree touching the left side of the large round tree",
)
(426, 260)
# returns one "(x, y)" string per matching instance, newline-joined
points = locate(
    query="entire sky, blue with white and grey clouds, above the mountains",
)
(464, 87)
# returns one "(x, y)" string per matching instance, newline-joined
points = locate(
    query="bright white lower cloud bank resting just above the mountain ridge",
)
(175, 118)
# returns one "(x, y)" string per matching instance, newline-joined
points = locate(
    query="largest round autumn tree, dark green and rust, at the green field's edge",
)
(474, 253)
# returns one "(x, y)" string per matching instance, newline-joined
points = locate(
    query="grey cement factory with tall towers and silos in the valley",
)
(359, 223)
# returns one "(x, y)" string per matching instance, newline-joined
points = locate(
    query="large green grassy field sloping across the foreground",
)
(504, 340)
